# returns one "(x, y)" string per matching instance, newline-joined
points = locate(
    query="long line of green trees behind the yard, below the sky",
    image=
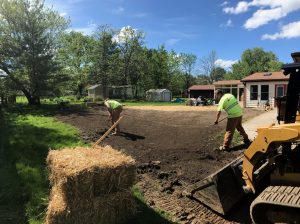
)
(40, 57)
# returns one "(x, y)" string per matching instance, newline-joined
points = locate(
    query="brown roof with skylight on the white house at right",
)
(266, 76)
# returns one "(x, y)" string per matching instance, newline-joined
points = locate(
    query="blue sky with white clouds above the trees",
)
(196, 26)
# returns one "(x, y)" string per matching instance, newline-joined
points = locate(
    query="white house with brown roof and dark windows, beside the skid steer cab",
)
(261, 87)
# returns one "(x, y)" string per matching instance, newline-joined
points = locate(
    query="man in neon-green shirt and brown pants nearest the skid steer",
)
(234, 112)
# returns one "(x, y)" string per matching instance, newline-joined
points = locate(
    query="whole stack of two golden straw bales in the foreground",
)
(90, 186)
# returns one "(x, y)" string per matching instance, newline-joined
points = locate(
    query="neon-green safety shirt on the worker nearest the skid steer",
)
(232, 107)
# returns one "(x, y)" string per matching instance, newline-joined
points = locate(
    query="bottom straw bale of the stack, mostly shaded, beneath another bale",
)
(113, 208)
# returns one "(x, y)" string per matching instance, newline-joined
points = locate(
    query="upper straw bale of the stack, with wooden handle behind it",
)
(87, 173)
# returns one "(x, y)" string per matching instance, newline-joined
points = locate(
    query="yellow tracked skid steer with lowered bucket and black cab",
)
(269, 168)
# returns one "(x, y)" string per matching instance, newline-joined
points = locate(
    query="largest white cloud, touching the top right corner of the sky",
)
(268, 10)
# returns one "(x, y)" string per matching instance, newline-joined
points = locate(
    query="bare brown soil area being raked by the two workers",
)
(173, 146)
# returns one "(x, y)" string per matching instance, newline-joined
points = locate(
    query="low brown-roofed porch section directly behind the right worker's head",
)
(235, 87)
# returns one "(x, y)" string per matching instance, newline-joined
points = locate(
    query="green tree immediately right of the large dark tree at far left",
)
(74, 55)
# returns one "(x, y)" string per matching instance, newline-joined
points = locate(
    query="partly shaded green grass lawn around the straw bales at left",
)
(26, 134)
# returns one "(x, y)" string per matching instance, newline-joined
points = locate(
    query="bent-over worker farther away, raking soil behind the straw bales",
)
(114, 109)
